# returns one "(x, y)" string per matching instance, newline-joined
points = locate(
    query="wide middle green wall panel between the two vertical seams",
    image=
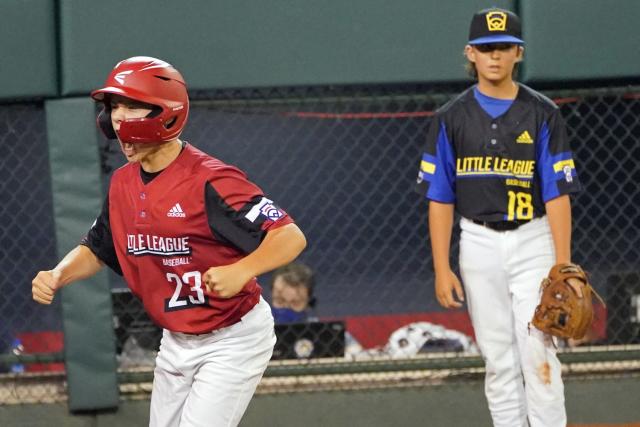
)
(254, 43)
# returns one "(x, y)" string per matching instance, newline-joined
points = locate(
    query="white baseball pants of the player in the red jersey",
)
(209, 379)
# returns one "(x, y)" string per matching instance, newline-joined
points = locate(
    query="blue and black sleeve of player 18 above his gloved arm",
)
(555, 165)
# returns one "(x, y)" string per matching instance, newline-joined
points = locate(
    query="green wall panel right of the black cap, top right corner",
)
(581, 39)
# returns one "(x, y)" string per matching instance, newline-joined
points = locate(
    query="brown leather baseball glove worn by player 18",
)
(565, 309)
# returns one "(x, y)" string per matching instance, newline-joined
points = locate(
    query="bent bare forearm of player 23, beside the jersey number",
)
(279, 247)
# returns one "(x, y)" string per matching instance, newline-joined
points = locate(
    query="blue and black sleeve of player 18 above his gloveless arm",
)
(436, 176)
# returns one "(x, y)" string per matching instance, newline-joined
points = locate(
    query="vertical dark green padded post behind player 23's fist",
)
(86, 306)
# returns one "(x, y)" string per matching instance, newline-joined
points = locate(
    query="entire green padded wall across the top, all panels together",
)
(221, 44)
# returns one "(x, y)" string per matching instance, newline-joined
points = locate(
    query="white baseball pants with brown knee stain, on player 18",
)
(502, 272)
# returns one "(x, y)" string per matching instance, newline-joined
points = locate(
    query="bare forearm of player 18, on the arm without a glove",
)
(440, 225)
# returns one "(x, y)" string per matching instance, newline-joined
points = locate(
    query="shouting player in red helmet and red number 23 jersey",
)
(189, 234)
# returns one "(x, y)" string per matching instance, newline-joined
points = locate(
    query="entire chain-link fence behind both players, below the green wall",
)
(343, 161)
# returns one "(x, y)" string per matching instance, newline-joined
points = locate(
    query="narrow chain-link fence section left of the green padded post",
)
(28, 245)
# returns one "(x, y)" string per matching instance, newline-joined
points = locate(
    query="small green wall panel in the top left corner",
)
(28, 46)
